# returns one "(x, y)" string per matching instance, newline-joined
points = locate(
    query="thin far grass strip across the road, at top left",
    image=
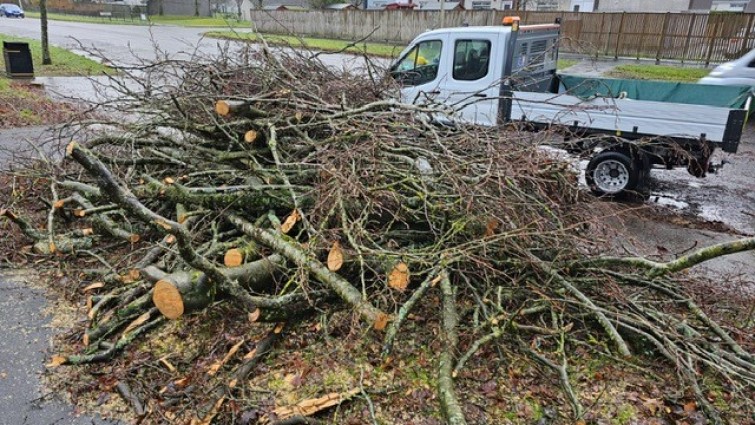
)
(184, 21)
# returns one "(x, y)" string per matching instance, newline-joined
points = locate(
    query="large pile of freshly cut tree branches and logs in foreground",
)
(287, 187)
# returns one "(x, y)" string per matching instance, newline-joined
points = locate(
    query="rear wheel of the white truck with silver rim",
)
(609, 173)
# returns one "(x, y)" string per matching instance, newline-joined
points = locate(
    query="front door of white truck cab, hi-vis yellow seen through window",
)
(421, 68)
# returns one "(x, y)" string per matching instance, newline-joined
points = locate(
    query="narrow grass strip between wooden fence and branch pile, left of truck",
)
(324, 44)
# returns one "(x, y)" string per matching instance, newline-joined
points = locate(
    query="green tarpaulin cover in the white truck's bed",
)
(658, 91)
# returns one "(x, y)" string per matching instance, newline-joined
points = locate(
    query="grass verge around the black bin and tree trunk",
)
(63, 61)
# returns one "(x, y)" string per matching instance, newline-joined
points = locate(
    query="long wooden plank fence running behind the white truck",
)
(705, 38)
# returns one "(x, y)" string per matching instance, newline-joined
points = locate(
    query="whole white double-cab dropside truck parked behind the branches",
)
(506, 75)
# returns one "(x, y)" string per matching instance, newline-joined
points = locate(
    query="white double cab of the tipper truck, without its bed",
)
(464, 67)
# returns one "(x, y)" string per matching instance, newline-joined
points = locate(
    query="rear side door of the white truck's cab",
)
(473, 86)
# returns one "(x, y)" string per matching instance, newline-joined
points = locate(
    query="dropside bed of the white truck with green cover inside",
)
(604, 105)
